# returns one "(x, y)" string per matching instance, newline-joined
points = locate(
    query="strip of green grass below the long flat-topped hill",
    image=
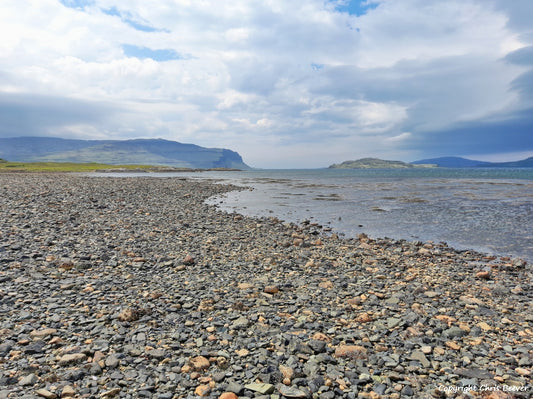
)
(6, 166)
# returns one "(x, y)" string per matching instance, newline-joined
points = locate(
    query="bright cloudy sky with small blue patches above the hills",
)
(299, 83)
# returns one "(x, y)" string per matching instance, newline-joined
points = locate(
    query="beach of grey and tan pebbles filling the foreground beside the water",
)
(133, 287)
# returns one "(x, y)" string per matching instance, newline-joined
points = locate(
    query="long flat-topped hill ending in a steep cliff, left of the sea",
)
(116, 152)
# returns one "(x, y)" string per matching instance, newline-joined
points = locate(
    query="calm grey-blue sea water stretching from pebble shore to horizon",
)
(489, 210)
